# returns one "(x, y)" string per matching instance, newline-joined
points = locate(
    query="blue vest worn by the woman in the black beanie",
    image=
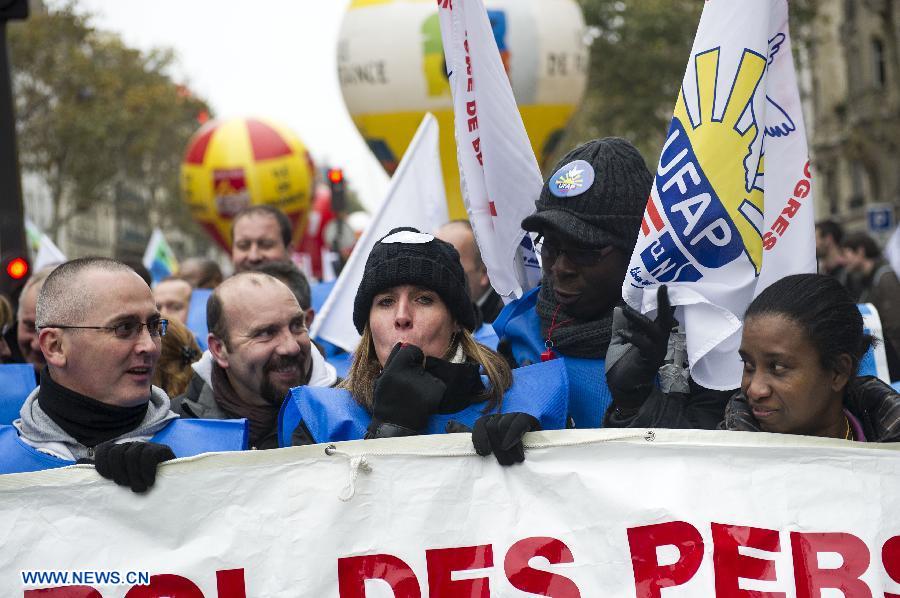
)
(331, 414)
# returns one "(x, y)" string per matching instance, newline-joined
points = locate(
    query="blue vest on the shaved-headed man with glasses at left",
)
(186, 437)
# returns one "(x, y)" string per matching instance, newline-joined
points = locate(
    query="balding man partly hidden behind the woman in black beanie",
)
(487, 302)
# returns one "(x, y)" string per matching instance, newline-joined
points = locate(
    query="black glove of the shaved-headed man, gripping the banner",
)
(131, 463)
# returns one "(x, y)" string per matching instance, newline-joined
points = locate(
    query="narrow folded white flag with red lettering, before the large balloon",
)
(498, 172)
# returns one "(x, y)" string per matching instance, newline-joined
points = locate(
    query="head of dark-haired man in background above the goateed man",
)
(259, 233)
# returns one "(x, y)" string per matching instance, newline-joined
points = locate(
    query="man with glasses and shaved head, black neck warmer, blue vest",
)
(100, 333)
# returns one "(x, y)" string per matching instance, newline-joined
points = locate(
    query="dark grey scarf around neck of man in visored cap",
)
(571, 336)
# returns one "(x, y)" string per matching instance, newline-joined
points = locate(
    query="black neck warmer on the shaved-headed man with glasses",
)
(87, 420)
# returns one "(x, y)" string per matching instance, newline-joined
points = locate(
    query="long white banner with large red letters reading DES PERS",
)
(590, 513)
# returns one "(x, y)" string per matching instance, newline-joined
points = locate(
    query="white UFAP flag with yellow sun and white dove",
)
(731, 209)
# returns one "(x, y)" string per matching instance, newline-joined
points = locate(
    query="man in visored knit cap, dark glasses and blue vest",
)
(587, 218)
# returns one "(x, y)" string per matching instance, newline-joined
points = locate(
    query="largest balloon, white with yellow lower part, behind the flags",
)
(391, 68)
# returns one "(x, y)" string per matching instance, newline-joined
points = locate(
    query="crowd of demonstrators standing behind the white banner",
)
(109, 352)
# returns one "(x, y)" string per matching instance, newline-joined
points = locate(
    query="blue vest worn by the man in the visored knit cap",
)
(589, 396)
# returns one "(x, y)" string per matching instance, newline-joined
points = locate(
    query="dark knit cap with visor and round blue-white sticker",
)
(596, 196)
